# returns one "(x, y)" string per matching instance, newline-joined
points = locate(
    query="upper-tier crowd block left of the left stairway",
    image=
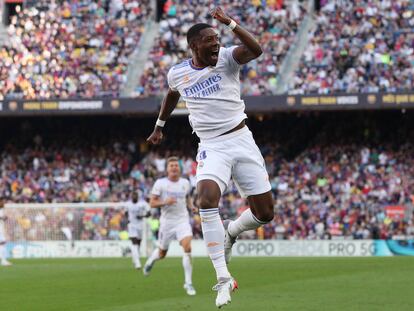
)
(66, 49)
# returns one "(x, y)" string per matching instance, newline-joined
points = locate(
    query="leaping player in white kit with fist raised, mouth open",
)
(209, 84)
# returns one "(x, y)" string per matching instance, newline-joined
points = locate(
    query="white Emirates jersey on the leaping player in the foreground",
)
(212, 94)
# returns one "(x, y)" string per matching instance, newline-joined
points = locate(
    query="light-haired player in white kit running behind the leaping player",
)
(172, 195)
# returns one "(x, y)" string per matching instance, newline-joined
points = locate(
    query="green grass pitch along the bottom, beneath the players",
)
(332, 284)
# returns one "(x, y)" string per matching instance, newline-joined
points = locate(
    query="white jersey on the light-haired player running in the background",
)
(165, 188)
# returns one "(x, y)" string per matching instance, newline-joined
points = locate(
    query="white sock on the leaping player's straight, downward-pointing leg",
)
(213, 232)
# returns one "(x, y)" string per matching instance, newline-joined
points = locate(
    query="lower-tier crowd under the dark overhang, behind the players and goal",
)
(331, 176)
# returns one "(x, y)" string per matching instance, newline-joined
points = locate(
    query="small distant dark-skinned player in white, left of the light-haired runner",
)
(137, 211)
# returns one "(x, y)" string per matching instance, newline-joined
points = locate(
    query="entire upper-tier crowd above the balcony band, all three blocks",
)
(67, 49)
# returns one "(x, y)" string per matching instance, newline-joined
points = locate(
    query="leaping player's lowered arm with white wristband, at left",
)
(169, 103)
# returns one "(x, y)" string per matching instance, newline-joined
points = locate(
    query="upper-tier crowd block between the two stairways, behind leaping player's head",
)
(274, 24)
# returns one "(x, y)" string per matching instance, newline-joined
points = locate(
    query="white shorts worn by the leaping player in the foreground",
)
(236, 156)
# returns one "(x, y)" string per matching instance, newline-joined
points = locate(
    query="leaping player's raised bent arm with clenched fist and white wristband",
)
(250, 48)
